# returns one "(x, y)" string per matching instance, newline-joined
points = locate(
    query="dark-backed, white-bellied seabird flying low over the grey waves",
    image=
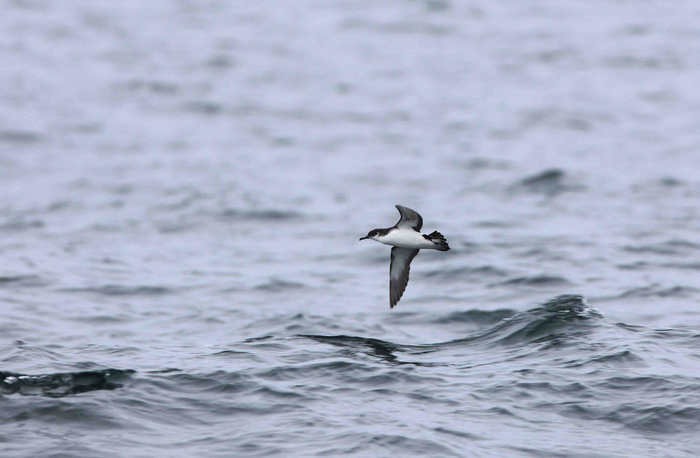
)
(406, 239)
